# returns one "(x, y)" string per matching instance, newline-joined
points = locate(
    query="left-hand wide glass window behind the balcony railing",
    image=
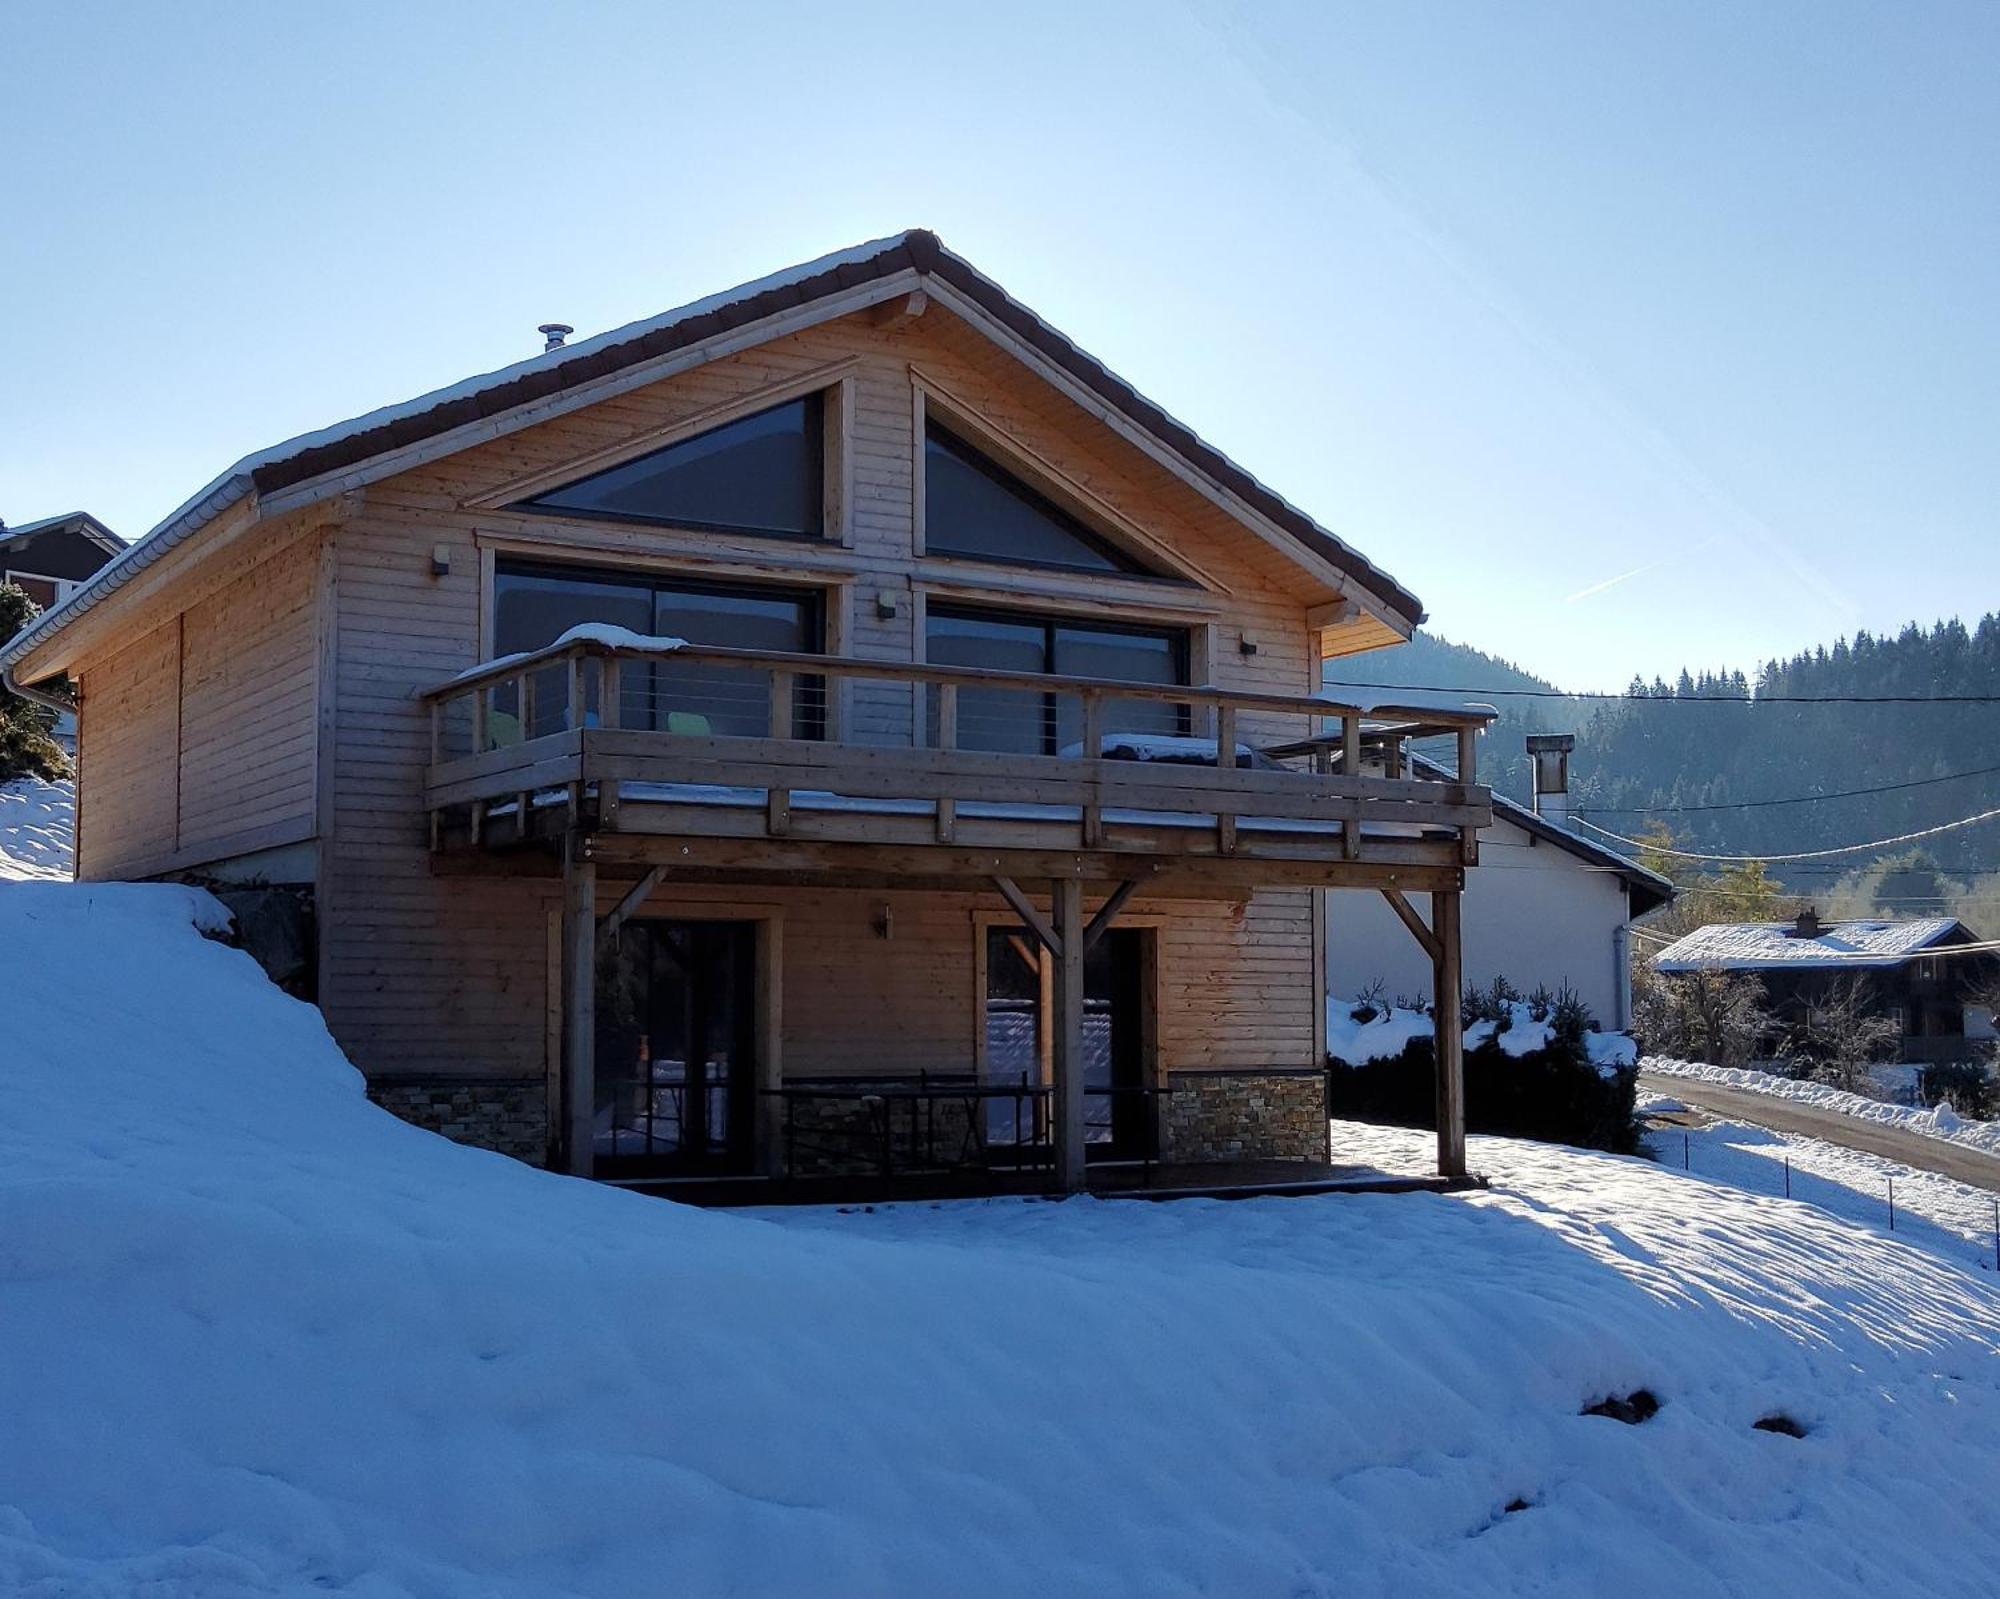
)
(537, 605)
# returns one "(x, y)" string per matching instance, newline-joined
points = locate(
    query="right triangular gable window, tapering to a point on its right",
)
(983, 511)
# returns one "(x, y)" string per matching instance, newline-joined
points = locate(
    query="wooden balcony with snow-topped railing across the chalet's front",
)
(761, 765)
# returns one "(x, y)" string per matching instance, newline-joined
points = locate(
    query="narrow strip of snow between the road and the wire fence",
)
(1933, 1212)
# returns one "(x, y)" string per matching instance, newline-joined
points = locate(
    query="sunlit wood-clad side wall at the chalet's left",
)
(197, 741)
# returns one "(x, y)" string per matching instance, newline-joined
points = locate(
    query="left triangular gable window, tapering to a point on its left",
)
(759, 475)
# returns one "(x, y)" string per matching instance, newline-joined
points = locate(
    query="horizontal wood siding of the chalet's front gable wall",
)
(449, 974)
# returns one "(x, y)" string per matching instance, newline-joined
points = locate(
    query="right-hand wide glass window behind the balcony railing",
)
(1025, 723)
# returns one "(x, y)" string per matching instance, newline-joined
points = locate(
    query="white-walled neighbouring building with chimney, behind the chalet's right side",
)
(1543, 906)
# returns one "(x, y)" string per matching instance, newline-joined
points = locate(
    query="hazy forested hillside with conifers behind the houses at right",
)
(1735, 765)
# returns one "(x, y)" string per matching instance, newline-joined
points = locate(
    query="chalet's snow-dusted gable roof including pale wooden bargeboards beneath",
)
(381, 445)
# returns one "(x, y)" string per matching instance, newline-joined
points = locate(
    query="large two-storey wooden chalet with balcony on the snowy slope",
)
(837, 727)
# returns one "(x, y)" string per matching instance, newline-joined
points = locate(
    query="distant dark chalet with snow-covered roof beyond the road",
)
(1907, 972)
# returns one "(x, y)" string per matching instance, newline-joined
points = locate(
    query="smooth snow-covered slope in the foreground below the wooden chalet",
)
(261, 1338)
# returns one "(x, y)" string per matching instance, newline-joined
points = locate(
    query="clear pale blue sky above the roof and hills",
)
(1629, 337)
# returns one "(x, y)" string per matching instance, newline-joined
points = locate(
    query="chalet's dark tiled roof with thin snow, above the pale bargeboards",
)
(493, 395)
